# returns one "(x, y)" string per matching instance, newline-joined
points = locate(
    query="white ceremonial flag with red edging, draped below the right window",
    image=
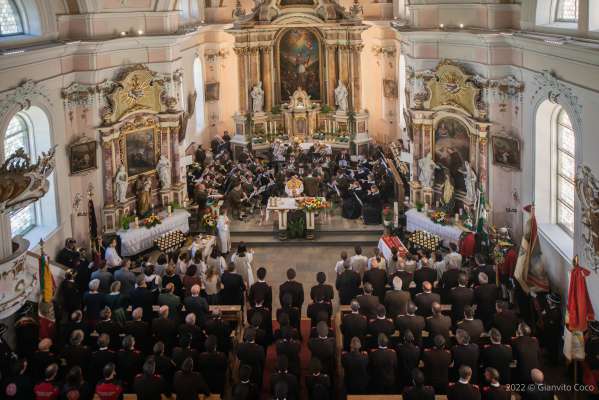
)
(530, 272)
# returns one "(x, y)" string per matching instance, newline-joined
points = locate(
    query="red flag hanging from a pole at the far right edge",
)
(580, 309)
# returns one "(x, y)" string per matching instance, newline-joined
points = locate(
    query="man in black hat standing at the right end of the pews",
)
(550, 327)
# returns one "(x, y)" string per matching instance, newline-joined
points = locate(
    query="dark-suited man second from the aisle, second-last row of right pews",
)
(383, 367)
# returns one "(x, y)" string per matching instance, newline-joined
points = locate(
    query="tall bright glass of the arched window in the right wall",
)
(565, 171)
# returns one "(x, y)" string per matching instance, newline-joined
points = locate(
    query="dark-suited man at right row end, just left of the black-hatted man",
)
(526, 353)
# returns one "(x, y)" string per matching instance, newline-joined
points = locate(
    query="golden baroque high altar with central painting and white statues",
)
(299, 75)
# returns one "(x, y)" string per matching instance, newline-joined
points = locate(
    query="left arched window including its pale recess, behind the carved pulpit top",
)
(30, 130)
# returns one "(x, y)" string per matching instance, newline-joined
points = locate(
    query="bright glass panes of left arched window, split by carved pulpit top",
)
(18, 136)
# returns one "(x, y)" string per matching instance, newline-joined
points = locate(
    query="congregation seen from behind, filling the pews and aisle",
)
(422, 325)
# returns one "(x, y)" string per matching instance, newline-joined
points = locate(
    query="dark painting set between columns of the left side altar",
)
(140, 151)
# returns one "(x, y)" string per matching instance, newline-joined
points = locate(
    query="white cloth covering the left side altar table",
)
(136, 240)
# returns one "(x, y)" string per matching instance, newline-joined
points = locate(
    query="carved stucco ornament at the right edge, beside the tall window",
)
(587, 188)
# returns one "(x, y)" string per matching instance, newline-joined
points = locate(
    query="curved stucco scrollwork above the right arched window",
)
(546, 84)
